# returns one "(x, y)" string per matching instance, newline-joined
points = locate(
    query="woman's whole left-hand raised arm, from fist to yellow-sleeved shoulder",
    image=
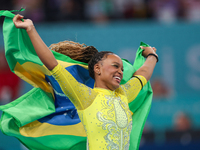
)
(79, 94)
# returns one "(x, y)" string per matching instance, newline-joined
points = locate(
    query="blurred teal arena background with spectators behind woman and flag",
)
(172, 26)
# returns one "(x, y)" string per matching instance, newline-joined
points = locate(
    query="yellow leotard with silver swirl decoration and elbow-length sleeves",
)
(104, 113)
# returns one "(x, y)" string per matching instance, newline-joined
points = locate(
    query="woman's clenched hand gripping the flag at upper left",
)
(26, 24)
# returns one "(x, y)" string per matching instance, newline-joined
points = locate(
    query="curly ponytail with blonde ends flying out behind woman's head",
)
(76, 51)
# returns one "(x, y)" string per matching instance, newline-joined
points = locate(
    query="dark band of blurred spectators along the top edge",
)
(166, 11)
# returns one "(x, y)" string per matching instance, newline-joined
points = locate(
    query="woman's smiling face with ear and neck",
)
(109, 72)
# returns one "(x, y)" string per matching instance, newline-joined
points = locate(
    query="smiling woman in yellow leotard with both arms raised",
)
(103, 110)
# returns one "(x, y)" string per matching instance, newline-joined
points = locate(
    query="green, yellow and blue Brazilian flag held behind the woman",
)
(44, 118)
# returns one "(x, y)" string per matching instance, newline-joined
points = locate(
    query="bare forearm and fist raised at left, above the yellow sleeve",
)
(41, 49)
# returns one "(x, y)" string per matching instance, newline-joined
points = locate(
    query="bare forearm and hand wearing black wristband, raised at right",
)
(146, 70)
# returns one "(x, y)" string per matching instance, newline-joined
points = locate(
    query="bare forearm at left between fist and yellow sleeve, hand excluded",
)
(43, 52)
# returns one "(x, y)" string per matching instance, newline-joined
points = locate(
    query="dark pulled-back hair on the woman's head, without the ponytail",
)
(95, 59)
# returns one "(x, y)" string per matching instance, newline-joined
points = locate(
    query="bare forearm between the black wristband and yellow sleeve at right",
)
(146, 70)
